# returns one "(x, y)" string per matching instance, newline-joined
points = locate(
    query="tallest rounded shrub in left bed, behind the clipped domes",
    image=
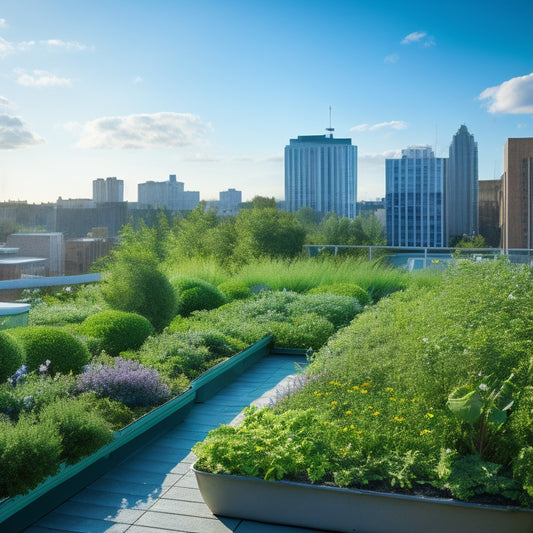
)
(136, 285)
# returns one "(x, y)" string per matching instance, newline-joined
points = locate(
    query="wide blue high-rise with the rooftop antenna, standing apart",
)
(321, 173)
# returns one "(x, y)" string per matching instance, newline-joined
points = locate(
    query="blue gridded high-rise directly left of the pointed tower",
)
(415, 198)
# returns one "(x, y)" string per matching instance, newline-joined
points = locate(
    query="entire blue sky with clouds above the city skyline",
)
(212, 91)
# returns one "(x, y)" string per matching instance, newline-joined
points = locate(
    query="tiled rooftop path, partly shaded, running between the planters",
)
(154, 490)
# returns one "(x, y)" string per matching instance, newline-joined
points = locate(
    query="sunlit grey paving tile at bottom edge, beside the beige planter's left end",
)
(191, 524)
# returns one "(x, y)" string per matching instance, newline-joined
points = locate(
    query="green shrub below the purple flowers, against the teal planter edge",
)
(82, 431)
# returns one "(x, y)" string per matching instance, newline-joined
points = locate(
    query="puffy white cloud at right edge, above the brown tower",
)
(513, 96)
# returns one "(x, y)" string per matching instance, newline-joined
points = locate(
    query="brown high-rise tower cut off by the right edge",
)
(517, 194)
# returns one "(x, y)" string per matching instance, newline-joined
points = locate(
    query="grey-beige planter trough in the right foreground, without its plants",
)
(336, 509)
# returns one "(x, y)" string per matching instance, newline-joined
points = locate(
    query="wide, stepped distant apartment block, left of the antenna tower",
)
(169, 194)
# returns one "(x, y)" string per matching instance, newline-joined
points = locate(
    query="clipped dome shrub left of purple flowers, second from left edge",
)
(65, 352)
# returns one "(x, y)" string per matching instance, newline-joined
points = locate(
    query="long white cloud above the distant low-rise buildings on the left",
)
(143, 131)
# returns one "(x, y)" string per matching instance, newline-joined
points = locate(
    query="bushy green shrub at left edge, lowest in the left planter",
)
(28, 453)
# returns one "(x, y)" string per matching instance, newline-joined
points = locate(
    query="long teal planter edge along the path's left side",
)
(22, 510)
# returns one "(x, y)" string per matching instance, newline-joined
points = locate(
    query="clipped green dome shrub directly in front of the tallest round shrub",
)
(117, 331)
